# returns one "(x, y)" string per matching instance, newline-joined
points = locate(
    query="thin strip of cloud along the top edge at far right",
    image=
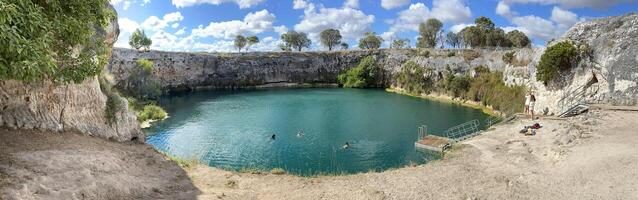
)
(574, 3)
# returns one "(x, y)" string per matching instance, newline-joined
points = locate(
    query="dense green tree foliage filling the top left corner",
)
(36, 38)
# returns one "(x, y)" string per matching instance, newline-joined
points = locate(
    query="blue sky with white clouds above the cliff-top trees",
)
(211, 25)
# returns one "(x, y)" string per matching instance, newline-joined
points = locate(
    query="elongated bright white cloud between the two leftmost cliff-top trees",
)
(253, 23)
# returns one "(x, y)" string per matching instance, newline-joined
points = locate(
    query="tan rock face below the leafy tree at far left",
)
(73, 107)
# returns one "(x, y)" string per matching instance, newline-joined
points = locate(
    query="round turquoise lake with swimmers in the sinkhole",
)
(233, 129)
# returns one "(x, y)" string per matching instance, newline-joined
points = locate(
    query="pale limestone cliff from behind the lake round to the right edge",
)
(609, 75)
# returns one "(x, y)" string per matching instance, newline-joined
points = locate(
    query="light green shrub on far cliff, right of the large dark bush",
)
(415, 79)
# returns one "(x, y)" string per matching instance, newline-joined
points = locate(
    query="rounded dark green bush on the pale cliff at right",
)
(556, 58)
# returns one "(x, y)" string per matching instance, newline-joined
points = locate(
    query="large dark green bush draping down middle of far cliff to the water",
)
(361, 76)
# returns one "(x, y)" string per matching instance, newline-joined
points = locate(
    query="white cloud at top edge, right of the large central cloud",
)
(453, 11)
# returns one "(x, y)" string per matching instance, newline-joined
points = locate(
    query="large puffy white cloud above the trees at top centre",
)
(352, 23)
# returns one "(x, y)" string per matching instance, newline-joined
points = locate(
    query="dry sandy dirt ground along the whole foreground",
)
(592, 156)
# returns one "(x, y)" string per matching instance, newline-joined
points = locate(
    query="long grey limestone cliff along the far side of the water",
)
(185, 71)
